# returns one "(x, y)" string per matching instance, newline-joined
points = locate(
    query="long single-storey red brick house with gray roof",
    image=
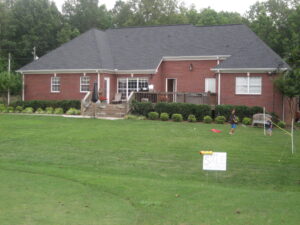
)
(229, 60)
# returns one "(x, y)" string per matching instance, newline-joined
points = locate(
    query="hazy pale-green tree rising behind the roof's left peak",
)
(86, 14)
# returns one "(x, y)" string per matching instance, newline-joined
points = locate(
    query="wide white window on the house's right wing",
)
(248, 85)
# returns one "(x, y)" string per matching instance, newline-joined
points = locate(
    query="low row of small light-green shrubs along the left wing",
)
(47, 110)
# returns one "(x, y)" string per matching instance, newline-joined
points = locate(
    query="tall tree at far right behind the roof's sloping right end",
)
(277, 23)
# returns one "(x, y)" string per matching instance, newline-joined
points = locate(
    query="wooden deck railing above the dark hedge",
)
(185, 97)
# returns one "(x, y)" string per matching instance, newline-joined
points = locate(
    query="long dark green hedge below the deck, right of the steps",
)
(186, 109)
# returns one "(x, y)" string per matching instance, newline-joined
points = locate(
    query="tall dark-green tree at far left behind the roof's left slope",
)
(32, 23)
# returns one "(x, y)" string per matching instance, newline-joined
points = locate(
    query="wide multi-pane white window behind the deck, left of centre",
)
(127, 85)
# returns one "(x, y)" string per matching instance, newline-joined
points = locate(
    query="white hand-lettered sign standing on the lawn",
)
(215, 161)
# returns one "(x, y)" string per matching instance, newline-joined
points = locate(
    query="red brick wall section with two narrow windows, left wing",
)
(38, 86)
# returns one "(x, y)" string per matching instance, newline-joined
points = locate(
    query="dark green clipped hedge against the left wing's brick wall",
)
(36, 104)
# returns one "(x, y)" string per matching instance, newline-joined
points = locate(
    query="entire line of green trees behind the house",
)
(25, 24)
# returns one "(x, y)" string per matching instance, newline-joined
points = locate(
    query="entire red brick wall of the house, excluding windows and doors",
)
(38, 86)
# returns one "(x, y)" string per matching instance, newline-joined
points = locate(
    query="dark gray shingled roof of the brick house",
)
(140, 48)
